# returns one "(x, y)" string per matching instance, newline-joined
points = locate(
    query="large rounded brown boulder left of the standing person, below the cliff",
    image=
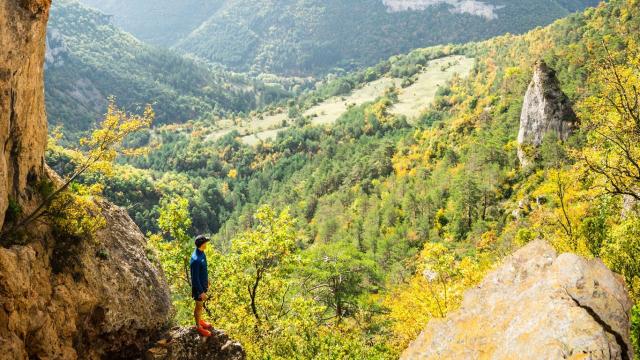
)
(66, 298)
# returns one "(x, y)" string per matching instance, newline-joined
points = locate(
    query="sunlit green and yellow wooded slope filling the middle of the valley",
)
(397, 206)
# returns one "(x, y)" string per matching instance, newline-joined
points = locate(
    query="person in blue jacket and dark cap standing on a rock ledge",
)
(200, 283)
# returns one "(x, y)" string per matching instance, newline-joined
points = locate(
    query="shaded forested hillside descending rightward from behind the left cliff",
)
(89, 59)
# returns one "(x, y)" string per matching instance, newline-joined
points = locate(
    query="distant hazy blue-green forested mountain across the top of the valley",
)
(312, 37)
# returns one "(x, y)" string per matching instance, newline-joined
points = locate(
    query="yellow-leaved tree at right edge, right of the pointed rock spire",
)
(611, 118)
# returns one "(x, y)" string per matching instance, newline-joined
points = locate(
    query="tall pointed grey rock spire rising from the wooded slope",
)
(545, 110)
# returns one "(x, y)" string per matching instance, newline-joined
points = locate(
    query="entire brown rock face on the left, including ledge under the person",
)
(63, 296)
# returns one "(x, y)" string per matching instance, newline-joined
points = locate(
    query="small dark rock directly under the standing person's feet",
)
(186, 344)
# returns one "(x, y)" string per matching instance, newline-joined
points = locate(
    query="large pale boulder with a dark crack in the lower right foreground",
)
(537, 305)
